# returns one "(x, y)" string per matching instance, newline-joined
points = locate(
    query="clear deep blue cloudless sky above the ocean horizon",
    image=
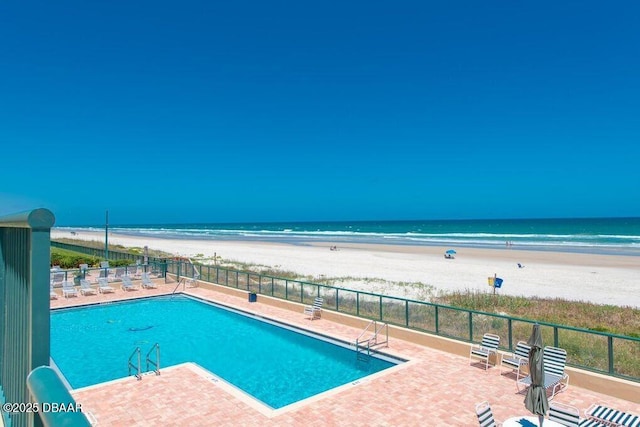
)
(212, 111)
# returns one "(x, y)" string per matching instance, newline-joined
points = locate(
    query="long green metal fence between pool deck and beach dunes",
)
(601, 352)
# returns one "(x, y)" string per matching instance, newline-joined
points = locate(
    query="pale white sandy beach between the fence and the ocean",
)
(404, 271)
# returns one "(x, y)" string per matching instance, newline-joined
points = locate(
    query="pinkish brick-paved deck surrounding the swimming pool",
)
(434, 389)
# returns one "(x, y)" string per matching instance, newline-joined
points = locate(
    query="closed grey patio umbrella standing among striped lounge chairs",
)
(536, 398)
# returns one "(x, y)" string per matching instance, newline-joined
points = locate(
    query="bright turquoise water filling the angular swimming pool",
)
(276, 365)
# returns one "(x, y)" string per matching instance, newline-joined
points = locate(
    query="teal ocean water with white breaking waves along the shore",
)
(587, 235)
